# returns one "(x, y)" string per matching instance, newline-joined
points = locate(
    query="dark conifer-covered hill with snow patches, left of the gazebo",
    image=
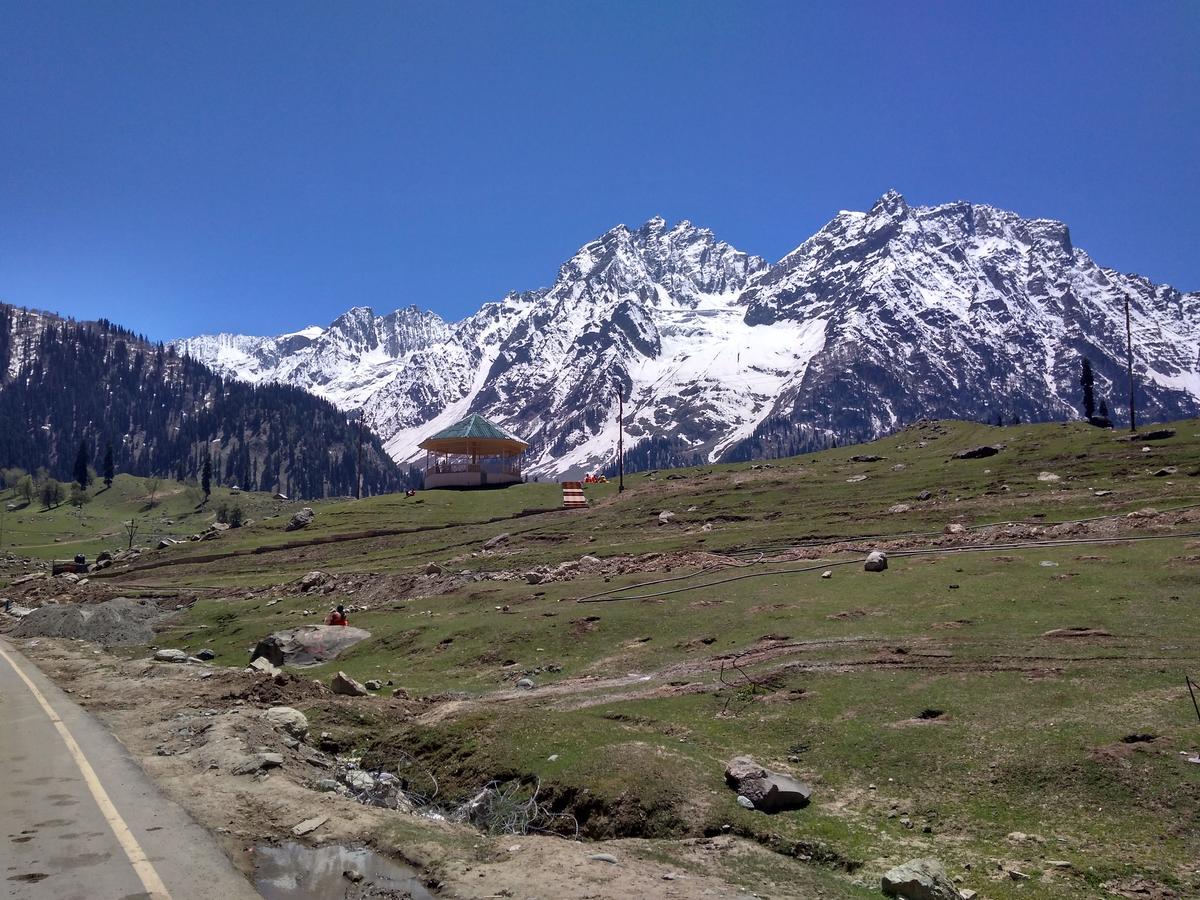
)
(65, 382)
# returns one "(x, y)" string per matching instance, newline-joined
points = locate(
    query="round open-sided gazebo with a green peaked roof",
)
(473, 453)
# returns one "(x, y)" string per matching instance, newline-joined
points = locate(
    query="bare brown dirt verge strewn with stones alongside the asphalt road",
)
(188, 733)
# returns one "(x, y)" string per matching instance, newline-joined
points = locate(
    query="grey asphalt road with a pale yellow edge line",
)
(79, 818)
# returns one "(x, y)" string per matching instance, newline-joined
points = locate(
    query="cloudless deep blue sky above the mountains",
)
(187, 167)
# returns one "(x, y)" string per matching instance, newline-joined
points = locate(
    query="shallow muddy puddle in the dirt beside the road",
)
(295, 872)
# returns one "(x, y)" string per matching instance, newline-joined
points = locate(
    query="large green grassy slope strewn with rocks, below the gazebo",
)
(928, 705)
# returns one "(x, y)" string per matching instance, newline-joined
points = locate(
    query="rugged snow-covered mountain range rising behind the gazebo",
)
(880, 319)
